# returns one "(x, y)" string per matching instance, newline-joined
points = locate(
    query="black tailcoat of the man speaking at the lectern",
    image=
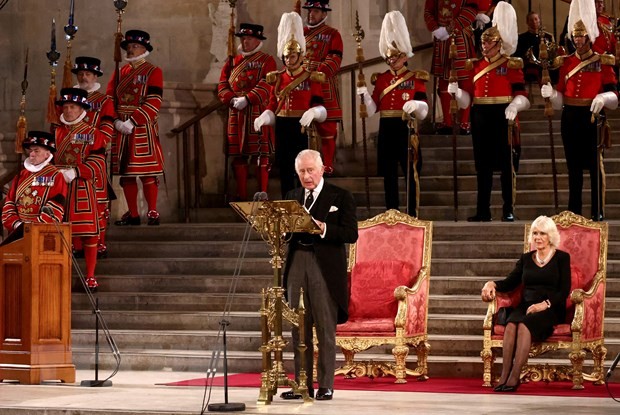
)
(330, 251)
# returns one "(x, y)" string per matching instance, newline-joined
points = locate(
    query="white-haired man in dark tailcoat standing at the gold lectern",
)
(318, 264)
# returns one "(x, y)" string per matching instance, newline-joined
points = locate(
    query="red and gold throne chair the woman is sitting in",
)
(582, 332)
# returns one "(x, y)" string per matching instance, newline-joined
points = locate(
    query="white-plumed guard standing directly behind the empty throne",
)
(399, 95)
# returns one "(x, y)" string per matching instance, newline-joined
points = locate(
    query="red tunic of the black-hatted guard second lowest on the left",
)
(82, 147)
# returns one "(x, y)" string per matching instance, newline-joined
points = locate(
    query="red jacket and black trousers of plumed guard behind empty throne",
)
(391, 91)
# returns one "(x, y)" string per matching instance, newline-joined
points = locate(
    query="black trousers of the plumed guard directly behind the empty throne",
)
(392, 149)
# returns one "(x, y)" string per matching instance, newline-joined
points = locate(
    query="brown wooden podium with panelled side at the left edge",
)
(35, 306)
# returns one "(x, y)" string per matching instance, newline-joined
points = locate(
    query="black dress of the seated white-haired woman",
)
(550, 282)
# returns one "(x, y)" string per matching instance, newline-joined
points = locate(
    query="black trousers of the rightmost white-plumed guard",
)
(580, 148)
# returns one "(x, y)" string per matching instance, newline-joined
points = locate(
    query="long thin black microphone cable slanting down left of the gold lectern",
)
(217, 351)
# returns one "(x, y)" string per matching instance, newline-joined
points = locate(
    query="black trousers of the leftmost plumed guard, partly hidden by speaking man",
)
(289, 142)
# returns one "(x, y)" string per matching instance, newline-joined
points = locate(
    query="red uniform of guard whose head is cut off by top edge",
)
(457, 17)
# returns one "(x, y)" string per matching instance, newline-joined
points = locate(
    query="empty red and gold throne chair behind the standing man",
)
(389, 276)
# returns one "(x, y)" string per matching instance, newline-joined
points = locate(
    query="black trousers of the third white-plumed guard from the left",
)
(489, 131)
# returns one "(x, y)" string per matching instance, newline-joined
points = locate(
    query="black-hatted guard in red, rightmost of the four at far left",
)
(136, 151)
